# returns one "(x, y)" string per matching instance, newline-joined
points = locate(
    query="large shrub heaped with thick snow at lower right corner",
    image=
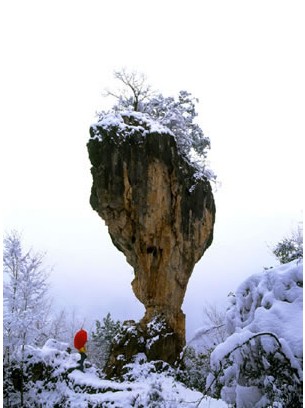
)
(260, 363)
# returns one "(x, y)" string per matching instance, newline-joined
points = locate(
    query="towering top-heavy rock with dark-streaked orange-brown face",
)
(158, 213)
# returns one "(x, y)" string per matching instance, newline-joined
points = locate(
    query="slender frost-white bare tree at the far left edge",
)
(26, 302)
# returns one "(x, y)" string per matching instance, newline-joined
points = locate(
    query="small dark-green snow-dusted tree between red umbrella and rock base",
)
(102, 339)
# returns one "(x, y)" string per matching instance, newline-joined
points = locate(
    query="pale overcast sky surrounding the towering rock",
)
(243, 60)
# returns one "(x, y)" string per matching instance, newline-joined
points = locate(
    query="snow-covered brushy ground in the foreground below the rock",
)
(63, 385)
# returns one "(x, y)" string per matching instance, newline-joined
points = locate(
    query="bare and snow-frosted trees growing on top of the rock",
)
(177, 114)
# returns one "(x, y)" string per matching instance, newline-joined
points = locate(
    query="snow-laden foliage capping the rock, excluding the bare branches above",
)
(166, 115)
